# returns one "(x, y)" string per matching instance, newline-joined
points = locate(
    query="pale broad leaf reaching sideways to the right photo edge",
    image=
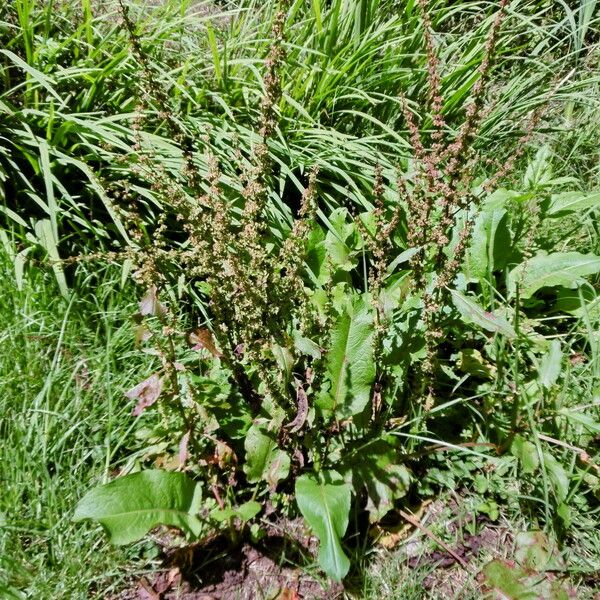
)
(565, 269)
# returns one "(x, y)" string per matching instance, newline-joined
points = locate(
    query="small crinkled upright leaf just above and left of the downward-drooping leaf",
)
(265, 461)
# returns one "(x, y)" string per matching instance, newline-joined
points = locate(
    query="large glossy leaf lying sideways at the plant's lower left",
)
(130, 506)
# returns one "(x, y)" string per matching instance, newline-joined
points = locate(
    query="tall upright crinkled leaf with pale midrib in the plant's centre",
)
(350, 365)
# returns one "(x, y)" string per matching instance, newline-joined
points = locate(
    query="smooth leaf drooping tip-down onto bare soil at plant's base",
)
(326, 507)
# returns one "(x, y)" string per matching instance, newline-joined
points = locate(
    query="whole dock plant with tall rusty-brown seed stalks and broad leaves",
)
(319, 345)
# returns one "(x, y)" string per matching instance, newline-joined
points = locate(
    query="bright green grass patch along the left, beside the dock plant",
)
(64, 425)
